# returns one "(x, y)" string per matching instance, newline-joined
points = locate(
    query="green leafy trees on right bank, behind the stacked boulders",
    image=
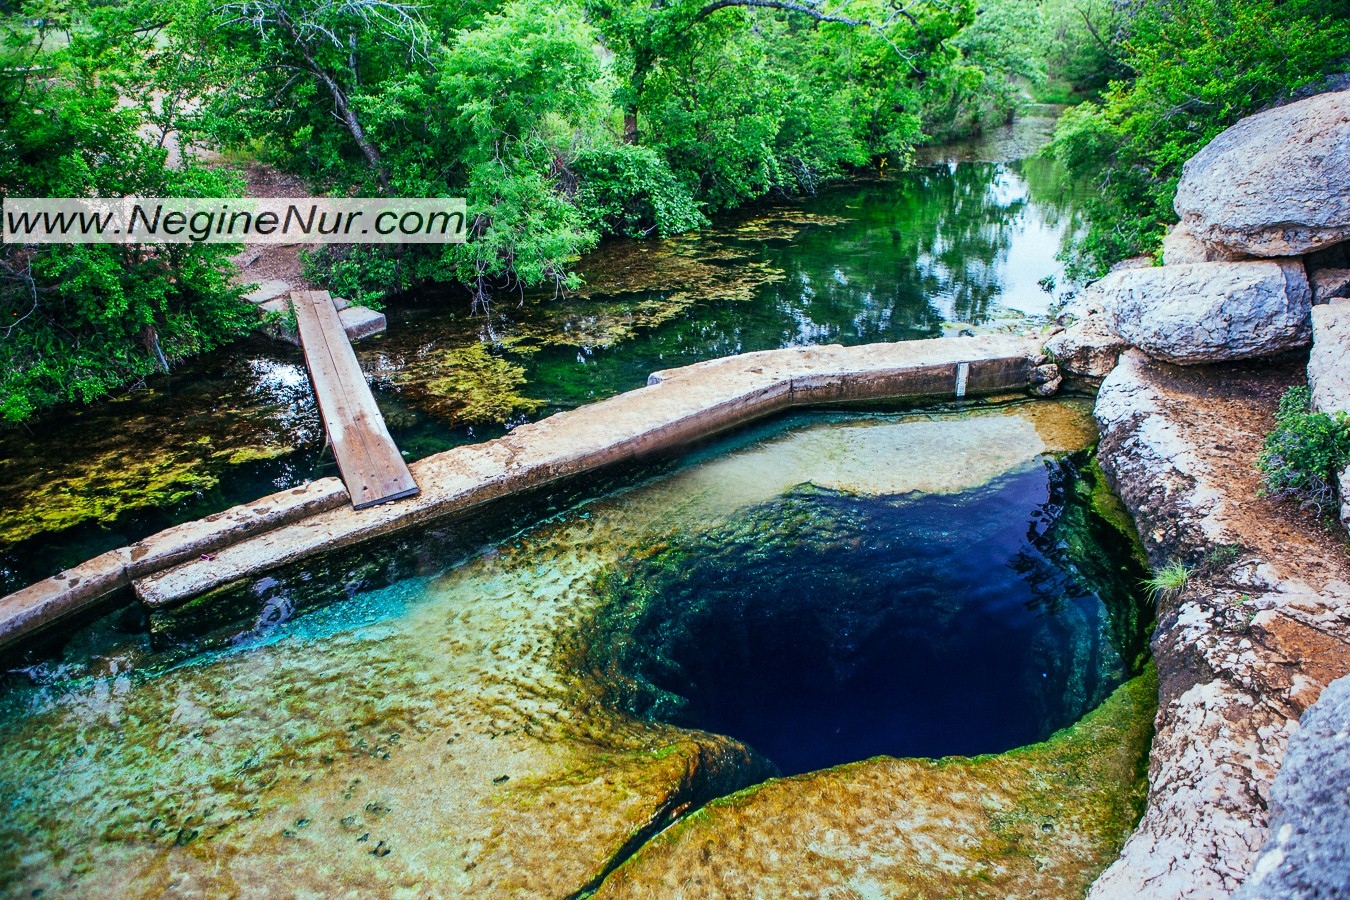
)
(1197, 67)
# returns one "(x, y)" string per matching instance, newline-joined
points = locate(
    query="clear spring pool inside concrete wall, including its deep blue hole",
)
(859, 584)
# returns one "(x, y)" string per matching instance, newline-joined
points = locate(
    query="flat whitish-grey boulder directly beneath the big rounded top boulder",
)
(1212, 312)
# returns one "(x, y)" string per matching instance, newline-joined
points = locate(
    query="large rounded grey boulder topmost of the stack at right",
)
(1276, 184)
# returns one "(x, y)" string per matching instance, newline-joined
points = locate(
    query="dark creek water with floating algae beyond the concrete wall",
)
(944, 249)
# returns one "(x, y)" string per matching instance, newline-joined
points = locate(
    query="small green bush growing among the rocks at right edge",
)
(1305, 453)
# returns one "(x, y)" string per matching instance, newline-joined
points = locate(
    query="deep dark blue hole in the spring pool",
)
(826, 628)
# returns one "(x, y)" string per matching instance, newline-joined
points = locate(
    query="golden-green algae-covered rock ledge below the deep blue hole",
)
(1039, 821)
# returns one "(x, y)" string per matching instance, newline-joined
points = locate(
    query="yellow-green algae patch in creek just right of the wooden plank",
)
(470, 387)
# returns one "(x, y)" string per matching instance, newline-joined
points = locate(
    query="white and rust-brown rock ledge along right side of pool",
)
(1244, 648)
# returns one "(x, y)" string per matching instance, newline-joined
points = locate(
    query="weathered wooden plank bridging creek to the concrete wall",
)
(368, 458)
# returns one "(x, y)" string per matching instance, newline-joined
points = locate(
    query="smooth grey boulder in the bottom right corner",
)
(1309, 852)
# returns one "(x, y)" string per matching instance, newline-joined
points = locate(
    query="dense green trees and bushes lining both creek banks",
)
(561, 123)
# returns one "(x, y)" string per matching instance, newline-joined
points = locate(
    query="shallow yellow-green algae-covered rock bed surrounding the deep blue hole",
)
(448, 735)
